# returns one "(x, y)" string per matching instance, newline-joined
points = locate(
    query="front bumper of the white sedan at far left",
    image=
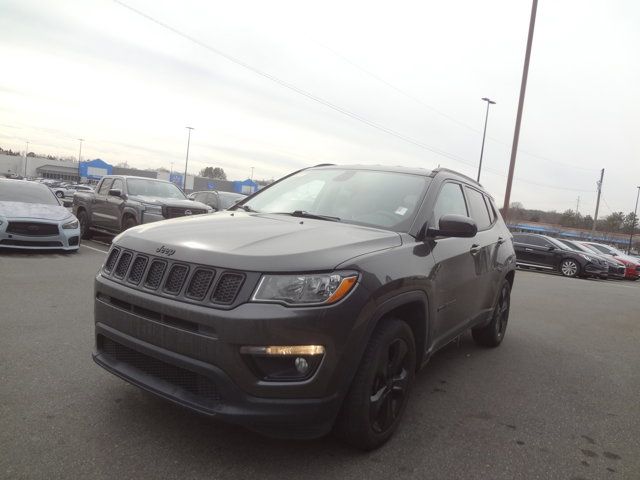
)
(65, 239)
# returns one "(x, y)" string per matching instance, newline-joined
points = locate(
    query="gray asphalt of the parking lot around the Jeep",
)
(559, 398)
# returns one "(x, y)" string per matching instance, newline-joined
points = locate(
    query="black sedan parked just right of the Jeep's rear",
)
(546, 253)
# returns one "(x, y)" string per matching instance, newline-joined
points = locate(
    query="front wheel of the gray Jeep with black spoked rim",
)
(380, 389)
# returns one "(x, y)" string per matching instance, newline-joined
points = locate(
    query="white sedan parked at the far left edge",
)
(32, 217)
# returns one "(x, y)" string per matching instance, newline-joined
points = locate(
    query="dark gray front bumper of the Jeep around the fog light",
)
(160, 356)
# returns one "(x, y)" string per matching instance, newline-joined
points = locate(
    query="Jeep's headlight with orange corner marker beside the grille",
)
(305, 289)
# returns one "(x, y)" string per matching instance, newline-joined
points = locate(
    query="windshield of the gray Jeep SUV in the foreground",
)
(366, 197)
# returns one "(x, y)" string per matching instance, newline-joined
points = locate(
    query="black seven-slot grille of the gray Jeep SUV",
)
(184, 281)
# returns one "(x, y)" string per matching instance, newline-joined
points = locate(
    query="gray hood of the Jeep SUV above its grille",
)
(258, 242)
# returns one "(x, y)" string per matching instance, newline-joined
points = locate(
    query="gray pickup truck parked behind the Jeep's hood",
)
(120, 202)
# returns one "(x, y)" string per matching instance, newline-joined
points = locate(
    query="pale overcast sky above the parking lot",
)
(281, 85)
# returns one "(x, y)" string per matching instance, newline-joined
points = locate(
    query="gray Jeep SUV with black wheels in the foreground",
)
(310, 305)
